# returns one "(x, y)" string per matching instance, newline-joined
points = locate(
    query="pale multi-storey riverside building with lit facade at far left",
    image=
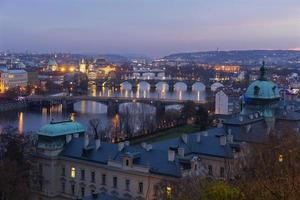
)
(17, 78)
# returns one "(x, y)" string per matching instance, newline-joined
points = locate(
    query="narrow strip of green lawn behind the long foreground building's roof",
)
(167, 134)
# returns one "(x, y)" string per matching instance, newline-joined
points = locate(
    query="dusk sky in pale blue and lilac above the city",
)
(152, 27)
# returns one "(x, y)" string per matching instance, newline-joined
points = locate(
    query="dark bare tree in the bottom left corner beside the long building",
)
(14, 166)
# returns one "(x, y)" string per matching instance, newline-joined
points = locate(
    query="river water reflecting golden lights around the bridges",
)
(27, 120)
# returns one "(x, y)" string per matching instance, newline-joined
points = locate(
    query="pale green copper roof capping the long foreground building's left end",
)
(61, 128)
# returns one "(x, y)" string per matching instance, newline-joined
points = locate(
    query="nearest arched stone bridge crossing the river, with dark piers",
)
(112, 103)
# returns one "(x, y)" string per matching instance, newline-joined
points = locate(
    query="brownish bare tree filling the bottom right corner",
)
(272, 169)
